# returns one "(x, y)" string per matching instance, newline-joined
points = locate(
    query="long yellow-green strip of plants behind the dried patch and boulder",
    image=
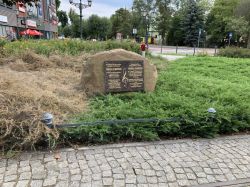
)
(68, 47)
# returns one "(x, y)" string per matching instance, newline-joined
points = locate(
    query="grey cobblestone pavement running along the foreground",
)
(165, 163)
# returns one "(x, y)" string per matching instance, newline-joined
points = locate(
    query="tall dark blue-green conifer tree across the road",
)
(193, 22)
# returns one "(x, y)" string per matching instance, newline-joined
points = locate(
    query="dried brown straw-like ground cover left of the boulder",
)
(32, 85)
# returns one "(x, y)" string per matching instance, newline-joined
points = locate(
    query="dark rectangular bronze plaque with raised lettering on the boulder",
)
(124, 76)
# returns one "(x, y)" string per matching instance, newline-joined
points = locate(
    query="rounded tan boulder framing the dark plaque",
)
(93, 81)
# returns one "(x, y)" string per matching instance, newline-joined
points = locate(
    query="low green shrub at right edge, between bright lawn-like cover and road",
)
(235, 52)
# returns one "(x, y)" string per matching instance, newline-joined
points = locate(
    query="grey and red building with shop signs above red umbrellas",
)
(40, 16)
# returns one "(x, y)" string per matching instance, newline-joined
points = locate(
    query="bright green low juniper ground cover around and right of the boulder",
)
(186, 89)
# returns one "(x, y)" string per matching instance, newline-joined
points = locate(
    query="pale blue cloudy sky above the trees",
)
(103, 8)
